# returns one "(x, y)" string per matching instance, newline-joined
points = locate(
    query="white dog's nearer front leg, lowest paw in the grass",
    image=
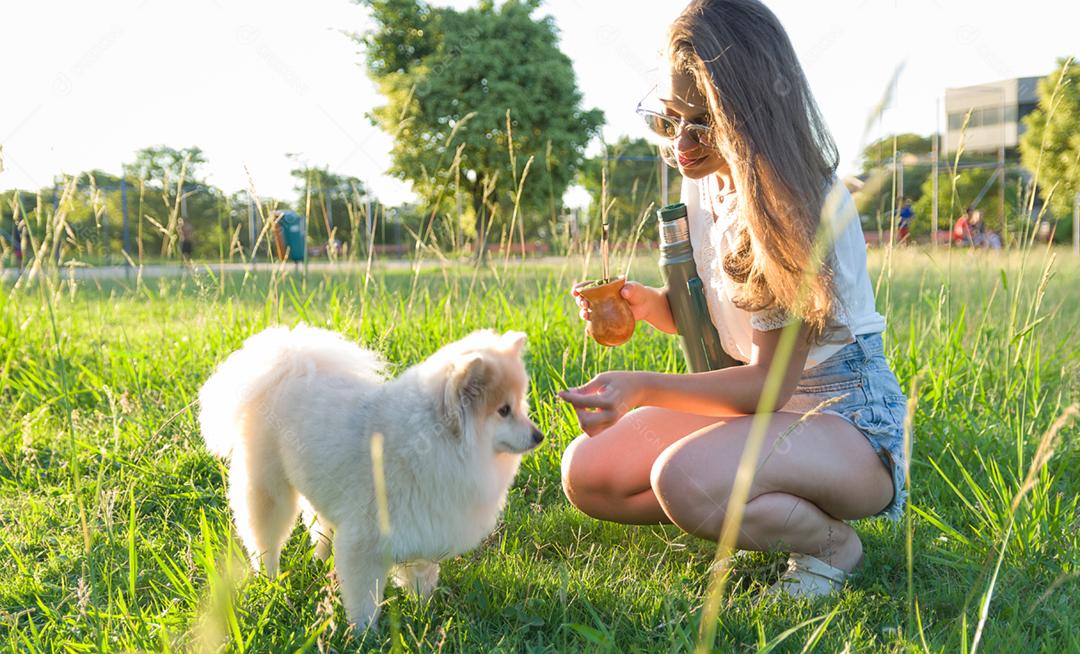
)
(362, 573)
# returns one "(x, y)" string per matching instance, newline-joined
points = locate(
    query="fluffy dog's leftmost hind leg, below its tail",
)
(264, 505)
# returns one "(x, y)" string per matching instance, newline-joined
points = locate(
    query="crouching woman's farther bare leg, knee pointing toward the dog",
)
(607, 475)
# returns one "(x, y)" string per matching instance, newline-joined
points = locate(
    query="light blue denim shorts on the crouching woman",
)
(868, 396)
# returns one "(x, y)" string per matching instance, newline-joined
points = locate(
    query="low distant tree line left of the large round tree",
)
(165, 188)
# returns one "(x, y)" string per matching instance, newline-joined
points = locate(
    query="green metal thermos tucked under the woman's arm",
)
(686, 294)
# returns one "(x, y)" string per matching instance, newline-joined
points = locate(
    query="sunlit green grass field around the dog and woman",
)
(115, 535)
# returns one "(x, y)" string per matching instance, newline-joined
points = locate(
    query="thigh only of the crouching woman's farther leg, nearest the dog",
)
(617, 461)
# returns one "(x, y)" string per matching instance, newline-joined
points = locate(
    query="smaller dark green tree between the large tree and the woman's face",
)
(633, 178)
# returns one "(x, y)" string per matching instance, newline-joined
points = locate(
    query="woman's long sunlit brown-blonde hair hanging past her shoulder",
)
(772, 133)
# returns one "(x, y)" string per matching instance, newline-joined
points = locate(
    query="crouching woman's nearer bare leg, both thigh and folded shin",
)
(821, 473)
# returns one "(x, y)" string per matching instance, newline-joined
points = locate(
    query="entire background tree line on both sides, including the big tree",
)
(490, 129)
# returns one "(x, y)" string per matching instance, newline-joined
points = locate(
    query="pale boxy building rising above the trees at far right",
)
(987, 132)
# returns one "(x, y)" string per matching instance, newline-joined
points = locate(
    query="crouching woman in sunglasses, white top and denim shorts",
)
(759, 169)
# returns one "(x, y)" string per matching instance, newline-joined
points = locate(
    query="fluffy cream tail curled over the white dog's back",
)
(242, 383)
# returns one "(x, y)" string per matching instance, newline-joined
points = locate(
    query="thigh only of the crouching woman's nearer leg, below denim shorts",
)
(825, 459)
